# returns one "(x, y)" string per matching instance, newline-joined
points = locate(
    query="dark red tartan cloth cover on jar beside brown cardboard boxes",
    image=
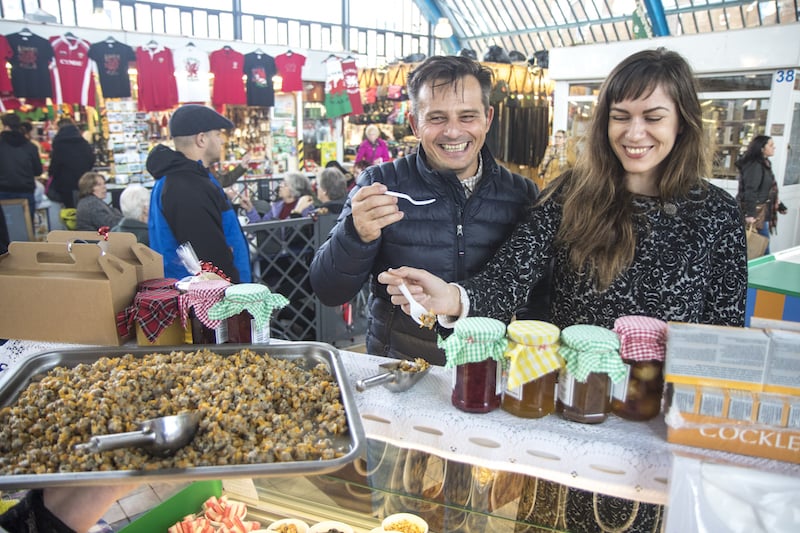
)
(153, 309)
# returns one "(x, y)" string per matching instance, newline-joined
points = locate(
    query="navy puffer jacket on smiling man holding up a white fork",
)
(452, 238)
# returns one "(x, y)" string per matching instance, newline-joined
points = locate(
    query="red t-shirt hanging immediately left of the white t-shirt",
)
(157, 88)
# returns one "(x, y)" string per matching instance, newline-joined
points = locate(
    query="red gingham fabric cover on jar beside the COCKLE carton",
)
(641, 338)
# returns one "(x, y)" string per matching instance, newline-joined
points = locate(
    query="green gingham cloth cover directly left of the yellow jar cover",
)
(475, 339)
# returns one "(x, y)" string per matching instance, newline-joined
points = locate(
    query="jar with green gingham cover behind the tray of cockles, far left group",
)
(247, 309)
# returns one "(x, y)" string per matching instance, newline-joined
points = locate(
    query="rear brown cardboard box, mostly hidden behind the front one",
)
(149, 263)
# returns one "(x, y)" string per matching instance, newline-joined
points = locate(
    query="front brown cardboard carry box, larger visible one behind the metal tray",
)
(50, 294)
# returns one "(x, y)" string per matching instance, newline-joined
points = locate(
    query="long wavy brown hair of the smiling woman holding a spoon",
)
(597, 226)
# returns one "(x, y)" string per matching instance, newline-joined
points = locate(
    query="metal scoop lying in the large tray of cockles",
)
(159, 436)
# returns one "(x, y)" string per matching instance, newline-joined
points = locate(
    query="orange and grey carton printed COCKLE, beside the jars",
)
(734, 389)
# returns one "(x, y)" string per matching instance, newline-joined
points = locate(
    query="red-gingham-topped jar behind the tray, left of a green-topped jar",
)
(196, 299)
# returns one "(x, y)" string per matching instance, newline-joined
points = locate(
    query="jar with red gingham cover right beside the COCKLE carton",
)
(642, 348)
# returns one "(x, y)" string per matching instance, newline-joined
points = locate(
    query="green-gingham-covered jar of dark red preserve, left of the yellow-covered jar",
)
(475, 351)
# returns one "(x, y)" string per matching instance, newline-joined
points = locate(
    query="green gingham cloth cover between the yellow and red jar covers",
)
(589, 349)
